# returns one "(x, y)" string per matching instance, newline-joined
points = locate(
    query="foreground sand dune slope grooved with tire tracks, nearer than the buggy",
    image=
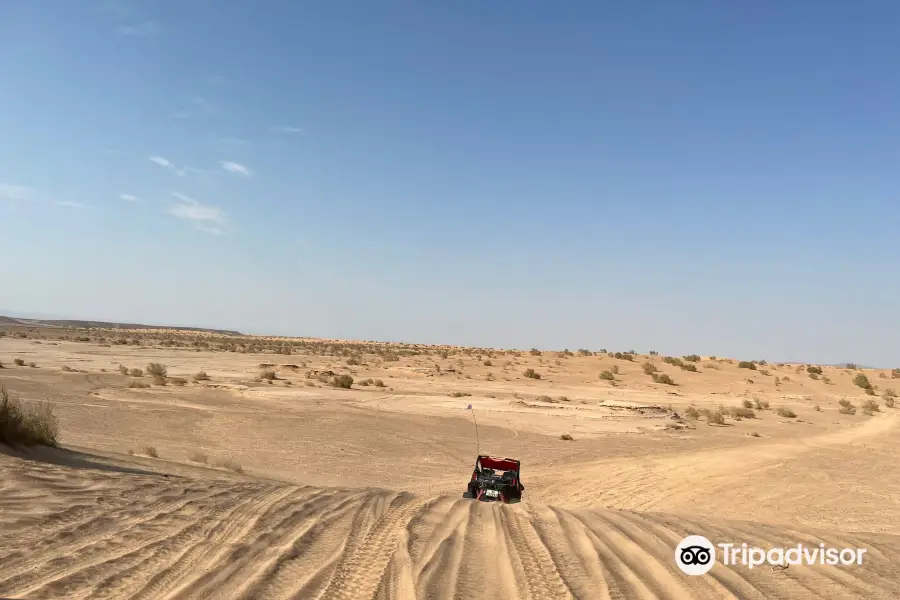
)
(97, 536)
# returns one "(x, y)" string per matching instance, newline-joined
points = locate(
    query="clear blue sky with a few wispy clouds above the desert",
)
(702, 176)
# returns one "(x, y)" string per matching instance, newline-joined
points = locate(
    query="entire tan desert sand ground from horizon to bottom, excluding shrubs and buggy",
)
(293, 488)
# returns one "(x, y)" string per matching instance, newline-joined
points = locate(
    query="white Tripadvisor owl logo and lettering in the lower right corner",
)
(696, 555)
